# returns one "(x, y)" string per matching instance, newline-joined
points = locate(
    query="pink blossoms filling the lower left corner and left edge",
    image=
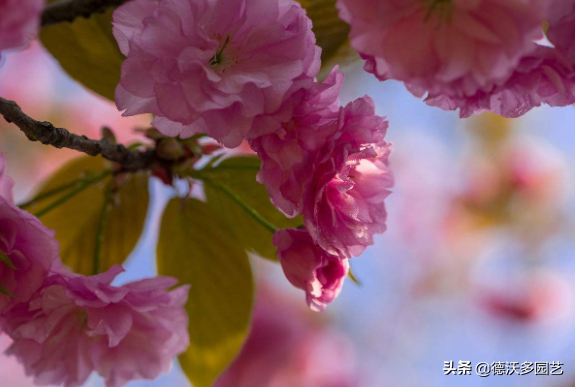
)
(64, 326)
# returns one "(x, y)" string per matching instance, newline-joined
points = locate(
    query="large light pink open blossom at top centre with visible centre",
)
(212, 66)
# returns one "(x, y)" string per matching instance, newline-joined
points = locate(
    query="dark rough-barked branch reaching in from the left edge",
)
(48, 134)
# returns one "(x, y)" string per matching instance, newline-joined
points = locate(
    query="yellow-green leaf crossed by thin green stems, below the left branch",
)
(78, 219)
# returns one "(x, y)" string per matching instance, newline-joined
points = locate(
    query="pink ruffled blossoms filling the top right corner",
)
(470, 55)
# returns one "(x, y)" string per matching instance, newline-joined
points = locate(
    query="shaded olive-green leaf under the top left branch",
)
(87, 51)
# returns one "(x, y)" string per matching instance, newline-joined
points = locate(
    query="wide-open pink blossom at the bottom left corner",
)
(78, 324)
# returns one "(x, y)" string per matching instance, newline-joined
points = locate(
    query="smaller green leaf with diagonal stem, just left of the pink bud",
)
(238, 174)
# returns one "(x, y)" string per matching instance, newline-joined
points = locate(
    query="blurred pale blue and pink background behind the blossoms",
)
(477, 263)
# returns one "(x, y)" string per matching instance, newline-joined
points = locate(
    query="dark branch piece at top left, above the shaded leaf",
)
(68, 10)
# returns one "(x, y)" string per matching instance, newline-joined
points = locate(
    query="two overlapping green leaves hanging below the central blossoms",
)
(204, 244)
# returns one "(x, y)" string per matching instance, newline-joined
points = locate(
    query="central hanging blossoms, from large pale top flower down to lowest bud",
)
(245, 70)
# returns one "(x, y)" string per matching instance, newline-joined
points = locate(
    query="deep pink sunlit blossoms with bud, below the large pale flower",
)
(331, 165)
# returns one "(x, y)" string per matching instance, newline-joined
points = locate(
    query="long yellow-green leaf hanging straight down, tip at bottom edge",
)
(195, 247)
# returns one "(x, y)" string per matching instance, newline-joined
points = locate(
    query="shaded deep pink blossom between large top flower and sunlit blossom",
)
(287, 153)
